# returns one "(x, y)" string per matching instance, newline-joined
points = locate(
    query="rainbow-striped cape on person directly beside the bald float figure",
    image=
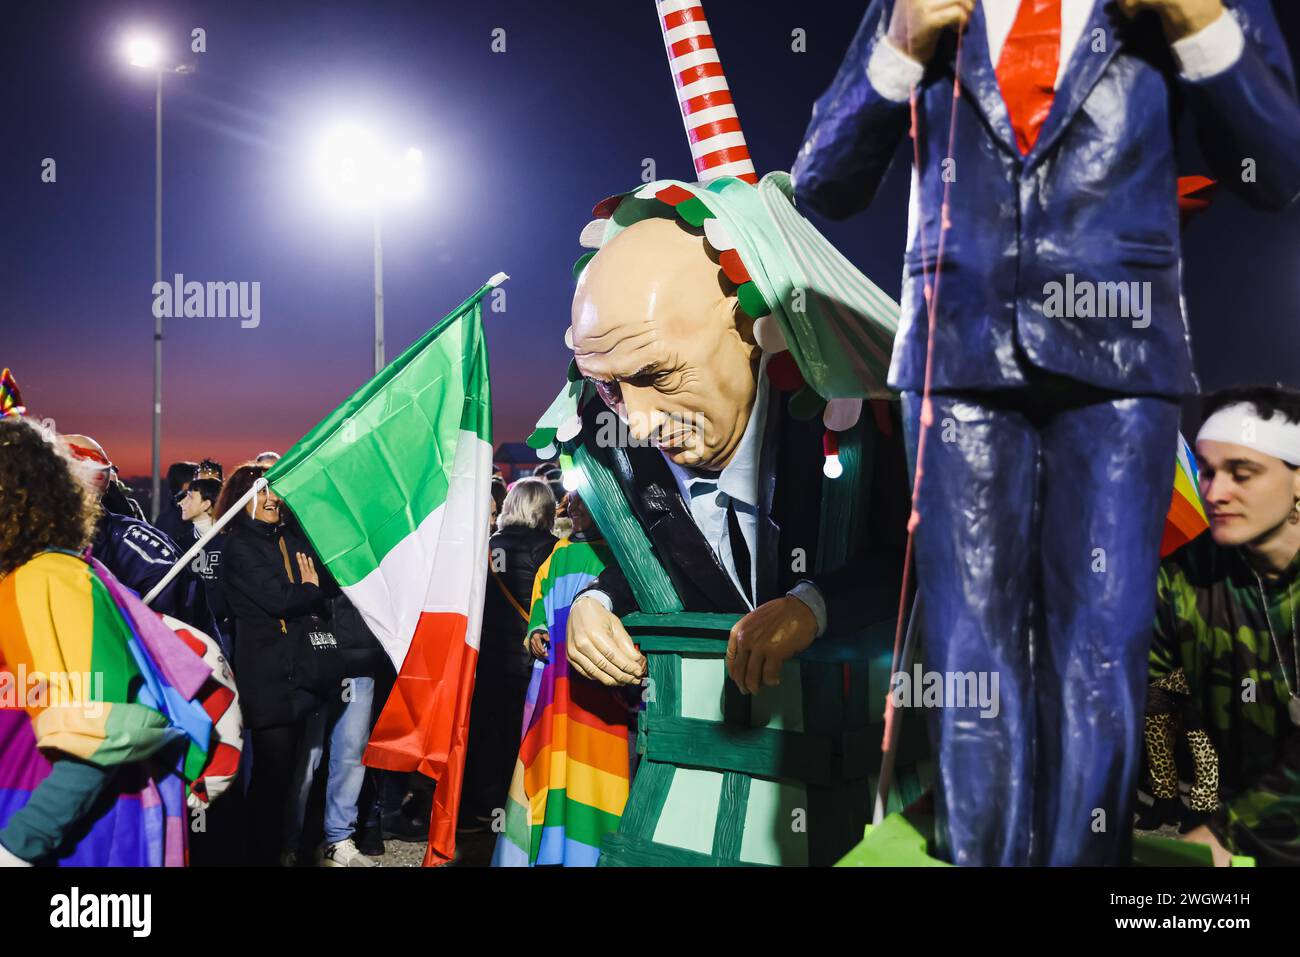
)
(574, 768)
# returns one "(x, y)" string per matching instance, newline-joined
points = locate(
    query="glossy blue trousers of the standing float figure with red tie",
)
(1042, 513)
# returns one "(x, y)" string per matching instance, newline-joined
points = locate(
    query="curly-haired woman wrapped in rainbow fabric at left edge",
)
(94, 735)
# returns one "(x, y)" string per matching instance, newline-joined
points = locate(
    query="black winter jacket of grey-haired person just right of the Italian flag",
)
(514, 555)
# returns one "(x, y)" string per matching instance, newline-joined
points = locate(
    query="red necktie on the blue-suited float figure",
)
(1028, 68)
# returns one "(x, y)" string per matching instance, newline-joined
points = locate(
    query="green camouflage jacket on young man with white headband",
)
(1212, 622)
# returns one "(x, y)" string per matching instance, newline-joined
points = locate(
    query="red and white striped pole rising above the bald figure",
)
(713, 127)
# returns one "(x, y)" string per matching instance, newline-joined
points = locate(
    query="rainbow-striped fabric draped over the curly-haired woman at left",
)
(90, 672)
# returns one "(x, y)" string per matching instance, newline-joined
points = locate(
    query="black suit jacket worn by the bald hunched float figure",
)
(788, 523)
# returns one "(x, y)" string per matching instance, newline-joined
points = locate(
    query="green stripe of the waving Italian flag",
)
(380, 465)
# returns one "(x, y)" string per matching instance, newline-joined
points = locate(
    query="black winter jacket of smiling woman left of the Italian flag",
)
(271, 613)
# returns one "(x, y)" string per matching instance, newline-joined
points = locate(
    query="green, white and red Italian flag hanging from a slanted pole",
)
(393, 491)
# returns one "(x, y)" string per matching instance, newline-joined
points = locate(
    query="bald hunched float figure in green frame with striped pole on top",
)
(729, 426)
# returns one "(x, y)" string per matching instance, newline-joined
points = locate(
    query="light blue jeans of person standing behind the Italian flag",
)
(345, 721)
